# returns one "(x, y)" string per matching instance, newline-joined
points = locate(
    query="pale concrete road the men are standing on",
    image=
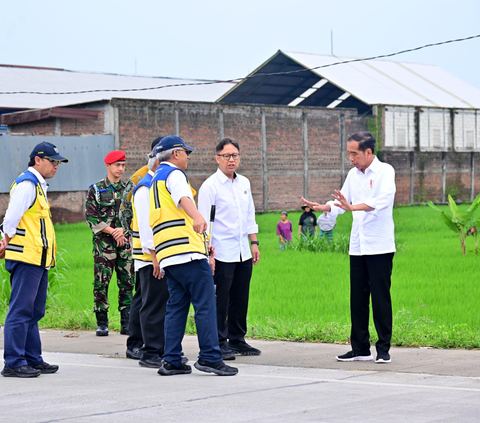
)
(289, 382)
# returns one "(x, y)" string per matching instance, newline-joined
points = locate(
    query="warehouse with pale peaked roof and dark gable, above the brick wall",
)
(426, 120)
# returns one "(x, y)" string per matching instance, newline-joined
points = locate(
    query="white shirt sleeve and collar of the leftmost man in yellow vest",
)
(21, 199)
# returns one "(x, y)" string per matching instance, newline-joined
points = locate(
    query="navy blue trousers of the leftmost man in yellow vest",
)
(27, 306)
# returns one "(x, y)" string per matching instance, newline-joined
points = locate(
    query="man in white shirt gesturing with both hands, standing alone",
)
(368, 192)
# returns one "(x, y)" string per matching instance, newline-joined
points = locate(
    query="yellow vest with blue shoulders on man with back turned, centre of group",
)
(173, 232)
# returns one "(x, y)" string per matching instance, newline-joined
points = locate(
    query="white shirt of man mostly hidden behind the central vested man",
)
(141, 201)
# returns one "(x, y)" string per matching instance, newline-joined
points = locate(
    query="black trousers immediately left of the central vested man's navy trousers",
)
(152, 314)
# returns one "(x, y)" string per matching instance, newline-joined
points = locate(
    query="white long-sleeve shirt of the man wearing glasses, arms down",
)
(234, 218)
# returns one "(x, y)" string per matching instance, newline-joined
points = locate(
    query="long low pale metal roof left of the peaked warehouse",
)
(45, 80)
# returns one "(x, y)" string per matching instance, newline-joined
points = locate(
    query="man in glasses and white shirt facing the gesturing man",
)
(235, 225)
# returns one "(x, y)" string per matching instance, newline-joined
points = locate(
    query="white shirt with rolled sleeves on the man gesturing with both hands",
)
(373, 230)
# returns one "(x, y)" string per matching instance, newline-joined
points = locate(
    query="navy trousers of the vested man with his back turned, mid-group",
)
(191, 282)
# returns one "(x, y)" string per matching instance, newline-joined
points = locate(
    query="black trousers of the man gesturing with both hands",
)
(370, 275)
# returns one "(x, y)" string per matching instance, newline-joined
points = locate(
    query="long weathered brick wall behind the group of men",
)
(202, 125)
